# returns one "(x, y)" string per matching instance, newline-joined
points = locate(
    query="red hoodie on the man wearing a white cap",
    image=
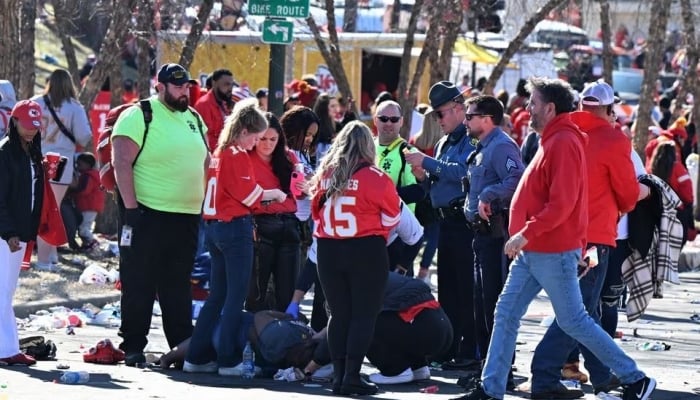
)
(612, 182)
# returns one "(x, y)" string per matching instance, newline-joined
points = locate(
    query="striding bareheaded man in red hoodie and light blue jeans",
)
(548, 227)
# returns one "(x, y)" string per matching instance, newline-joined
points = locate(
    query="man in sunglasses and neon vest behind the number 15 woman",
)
(390, 158)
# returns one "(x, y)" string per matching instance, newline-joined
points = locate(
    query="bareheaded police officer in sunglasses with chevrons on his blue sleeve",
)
(494, 170)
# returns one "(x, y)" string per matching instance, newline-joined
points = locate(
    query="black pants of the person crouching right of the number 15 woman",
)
(398, 345)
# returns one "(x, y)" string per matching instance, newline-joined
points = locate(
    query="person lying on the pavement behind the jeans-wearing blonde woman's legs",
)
(279, 340)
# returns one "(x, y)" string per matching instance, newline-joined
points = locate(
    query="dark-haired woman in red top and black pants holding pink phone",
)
(277, 228)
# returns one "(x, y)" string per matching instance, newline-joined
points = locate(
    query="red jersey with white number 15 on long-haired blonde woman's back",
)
(368, 207)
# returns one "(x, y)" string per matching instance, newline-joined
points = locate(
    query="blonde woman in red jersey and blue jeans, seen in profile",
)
(232, 192)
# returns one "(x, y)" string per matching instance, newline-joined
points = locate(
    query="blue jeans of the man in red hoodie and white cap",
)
(554, 348)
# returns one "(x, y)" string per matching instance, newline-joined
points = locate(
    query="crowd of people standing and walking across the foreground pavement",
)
(515, 194)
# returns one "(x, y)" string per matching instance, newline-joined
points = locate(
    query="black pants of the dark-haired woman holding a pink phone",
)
(277, 251)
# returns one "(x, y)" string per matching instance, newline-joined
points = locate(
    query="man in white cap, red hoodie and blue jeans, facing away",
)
(612, 190)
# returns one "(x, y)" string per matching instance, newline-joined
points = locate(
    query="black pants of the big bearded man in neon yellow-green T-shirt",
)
(157, 264)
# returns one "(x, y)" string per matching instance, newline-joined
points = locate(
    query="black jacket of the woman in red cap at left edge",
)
(17, 215)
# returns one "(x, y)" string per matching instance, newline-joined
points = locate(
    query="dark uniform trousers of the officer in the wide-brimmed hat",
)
(456, 284)
